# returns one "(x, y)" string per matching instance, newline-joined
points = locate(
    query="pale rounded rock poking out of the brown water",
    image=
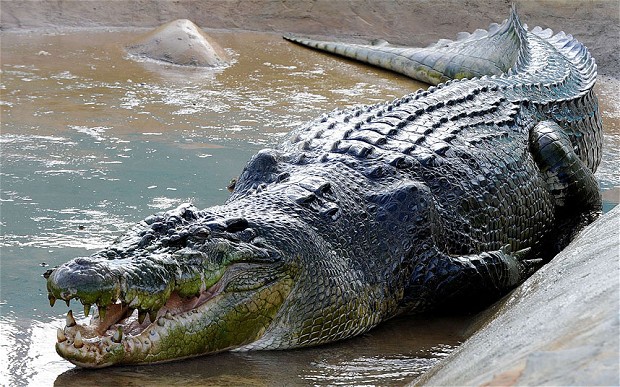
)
(180, 42)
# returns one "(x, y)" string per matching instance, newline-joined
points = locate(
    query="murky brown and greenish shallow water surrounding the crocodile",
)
(92, 142)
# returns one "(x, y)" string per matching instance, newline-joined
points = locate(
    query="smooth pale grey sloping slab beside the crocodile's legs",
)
(560, 327)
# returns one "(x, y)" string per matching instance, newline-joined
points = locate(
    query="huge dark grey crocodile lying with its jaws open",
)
(449, 196)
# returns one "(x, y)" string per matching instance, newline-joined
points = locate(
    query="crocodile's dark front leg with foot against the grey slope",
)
(441, 276)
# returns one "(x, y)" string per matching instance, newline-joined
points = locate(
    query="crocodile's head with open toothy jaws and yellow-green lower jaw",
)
(177, 285)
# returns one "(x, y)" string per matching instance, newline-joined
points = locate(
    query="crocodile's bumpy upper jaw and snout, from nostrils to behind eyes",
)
(182, 251)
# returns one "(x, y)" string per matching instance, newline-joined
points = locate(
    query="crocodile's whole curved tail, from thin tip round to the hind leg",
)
(553, 73)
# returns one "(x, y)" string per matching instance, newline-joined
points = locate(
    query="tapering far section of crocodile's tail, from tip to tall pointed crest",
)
(500, 49)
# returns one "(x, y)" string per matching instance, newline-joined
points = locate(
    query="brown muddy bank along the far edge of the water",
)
(595, 23)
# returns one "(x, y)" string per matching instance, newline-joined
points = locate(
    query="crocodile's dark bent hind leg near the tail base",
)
(569, 181)
